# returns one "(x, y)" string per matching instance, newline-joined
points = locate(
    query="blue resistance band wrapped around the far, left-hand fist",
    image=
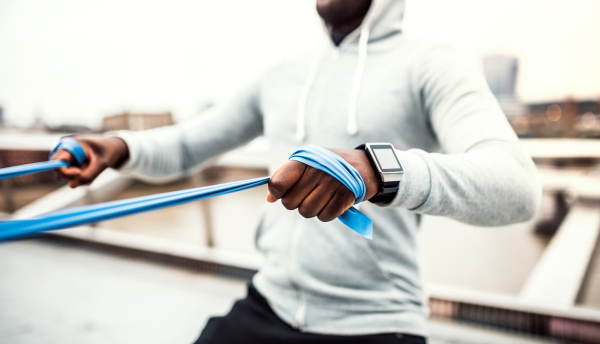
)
(66, 143)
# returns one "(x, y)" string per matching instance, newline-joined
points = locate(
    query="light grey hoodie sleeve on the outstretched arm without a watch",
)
(168, 153)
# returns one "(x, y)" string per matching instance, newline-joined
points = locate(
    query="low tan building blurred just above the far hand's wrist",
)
(130, 121)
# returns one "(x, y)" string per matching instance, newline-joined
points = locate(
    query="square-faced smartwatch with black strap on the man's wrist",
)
(384, 160)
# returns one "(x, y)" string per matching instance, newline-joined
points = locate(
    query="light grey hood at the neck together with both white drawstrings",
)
(383, 20)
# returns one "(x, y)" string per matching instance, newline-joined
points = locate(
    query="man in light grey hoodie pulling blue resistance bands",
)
(321, 282)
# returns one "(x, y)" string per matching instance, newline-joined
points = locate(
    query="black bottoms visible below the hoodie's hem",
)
(251, 320)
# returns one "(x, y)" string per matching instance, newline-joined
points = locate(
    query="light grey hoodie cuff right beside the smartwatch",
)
(416, 182)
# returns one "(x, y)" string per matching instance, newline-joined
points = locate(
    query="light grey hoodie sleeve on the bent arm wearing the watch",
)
(483, 178)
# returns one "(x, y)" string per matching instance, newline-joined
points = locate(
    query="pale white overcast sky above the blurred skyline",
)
(75, 61)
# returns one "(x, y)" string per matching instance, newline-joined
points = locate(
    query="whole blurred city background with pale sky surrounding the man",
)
(91, 66)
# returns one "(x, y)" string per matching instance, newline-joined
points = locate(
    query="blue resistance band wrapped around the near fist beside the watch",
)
(88, 214)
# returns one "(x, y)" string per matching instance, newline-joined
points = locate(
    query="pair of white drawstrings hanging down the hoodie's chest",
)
(352, 125)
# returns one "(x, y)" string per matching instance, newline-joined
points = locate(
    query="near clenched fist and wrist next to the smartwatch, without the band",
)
(316, 193)
